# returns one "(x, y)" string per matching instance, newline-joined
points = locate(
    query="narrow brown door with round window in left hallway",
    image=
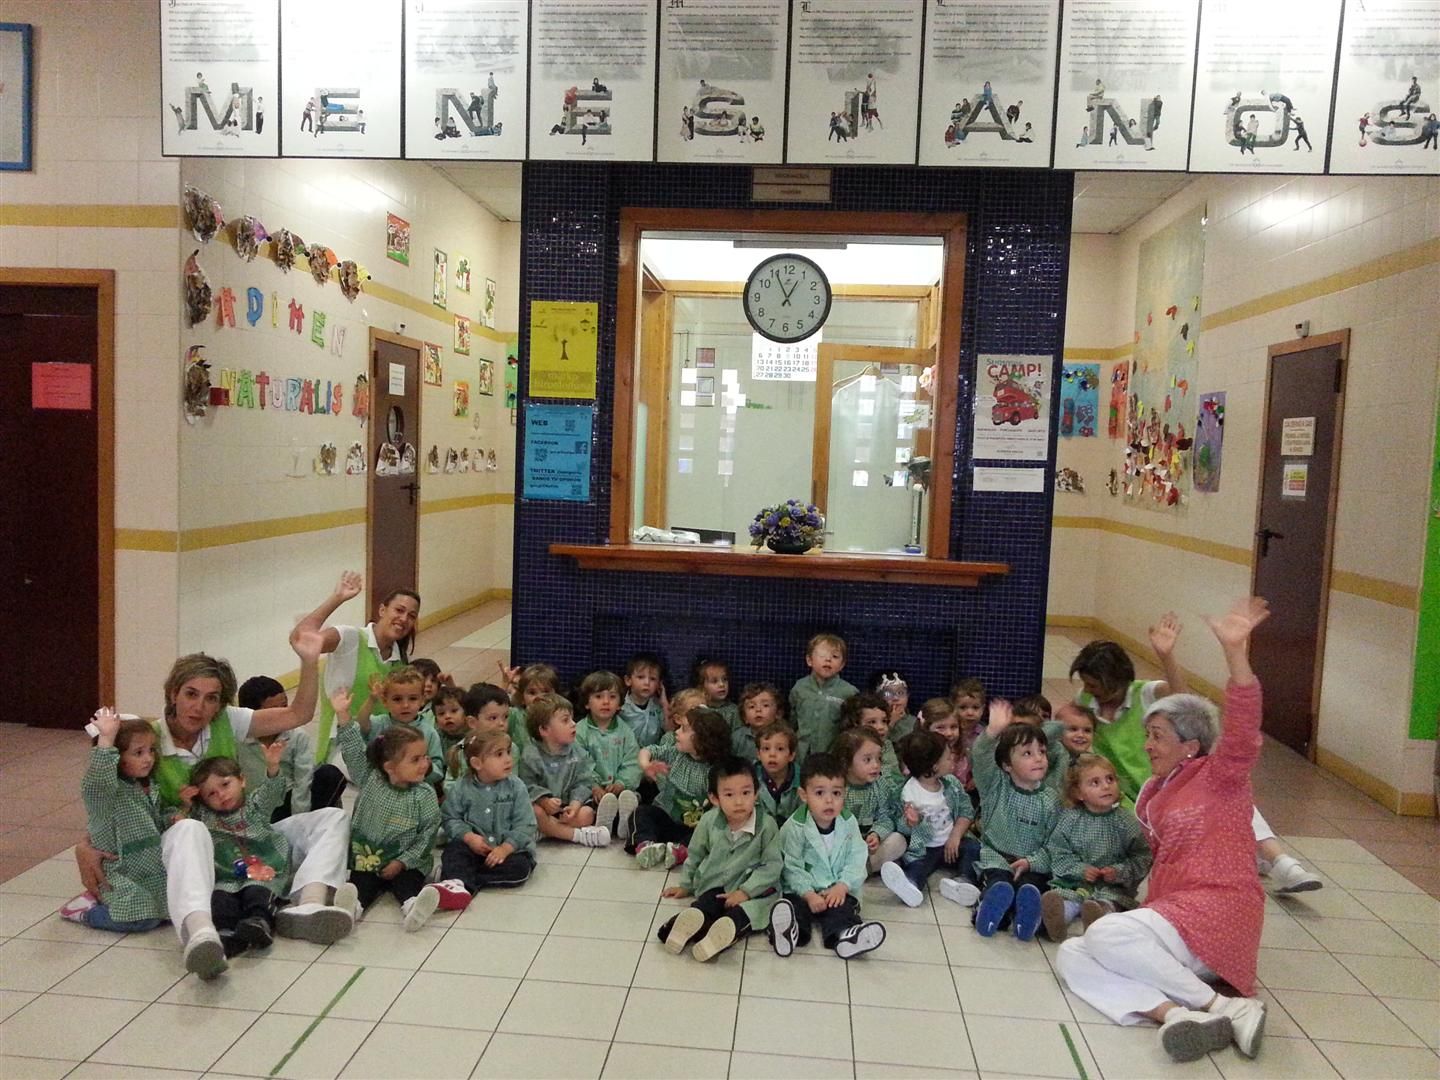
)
(395, 470)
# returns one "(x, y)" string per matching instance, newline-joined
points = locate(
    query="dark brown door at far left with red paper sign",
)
(57, 483)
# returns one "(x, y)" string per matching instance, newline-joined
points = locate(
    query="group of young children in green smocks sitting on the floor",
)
(775, 809)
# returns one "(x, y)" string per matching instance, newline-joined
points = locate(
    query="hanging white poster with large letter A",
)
(990, 83)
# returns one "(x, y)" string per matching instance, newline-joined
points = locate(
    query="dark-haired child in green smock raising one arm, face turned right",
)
(395, 817)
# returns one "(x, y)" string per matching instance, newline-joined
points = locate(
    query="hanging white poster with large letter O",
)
(1265, 74)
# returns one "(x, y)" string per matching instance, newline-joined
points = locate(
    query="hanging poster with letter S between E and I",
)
(722, 81)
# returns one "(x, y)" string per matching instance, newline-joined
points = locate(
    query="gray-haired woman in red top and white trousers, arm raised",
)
(1205, 911)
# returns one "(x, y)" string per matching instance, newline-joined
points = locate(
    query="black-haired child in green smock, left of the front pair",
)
(734, 868)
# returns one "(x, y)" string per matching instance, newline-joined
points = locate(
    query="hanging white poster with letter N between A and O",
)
(1127, 76)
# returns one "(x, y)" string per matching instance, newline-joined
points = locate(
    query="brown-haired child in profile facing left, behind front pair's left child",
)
(682, 770)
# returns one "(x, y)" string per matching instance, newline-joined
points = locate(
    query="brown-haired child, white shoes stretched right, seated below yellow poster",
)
(559, 775)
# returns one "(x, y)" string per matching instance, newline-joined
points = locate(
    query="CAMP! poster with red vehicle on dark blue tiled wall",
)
(1012, 408)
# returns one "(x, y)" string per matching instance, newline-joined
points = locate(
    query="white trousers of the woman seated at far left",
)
(319, 852)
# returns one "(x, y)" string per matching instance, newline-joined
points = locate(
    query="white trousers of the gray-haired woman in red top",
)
(1131, 963)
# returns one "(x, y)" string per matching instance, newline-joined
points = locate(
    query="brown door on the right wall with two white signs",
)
(1295, 526)
